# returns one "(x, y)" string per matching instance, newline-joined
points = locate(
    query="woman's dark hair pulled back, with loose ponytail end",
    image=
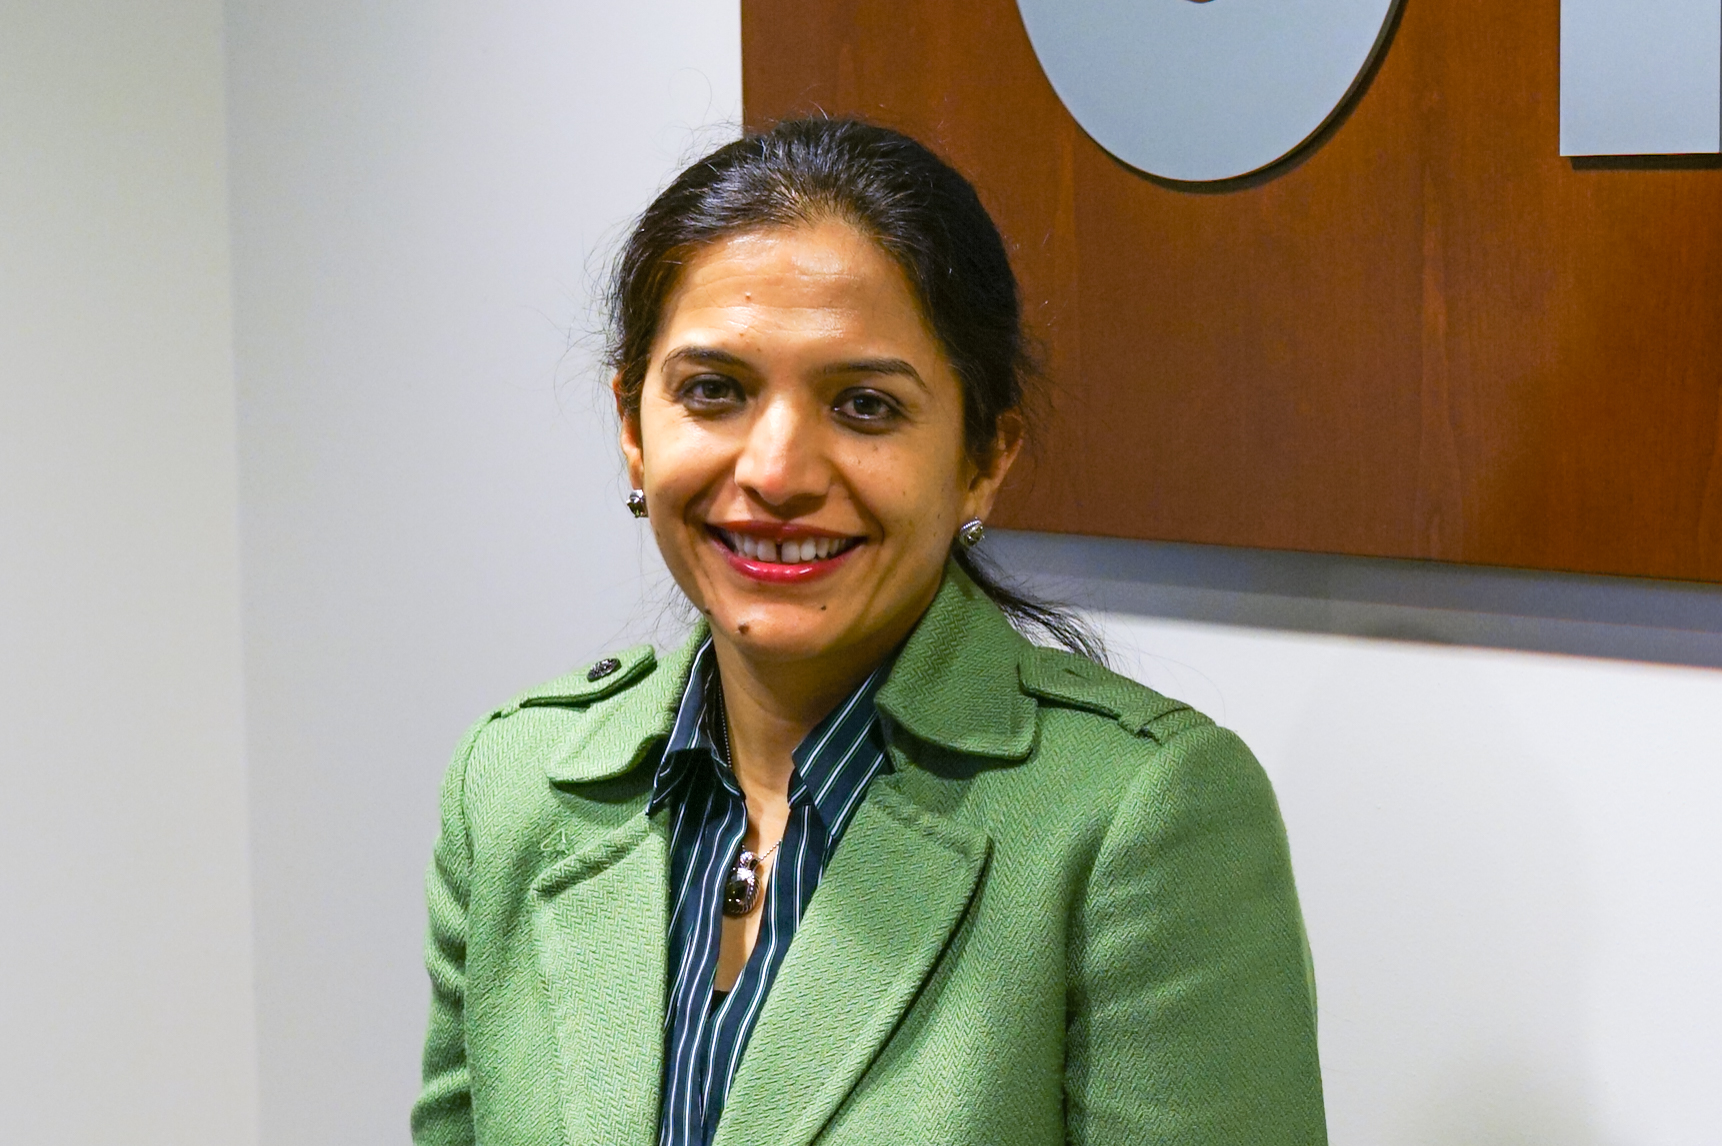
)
(907, 200)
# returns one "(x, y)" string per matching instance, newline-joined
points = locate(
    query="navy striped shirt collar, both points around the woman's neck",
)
(833, 761)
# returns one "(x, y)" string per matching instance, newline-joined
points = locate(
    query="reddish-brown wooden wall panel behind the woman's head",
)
(1425, 336)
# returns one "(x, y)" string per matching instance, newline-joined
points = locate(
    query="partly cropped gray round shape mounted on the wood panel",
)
(1205, 90)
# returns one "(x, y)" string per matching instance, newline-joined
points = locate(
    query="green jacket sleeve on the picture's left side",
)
(443, 1112)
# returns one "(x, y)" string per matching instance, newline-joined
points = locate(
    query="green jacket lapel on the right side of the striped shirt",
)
(886, 909)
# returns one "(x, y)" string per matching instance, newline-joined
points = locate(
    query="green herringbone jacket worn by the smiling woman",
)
(1067, 916)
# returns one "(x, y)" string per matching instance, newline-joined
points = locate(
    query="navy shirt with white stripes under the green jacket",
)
(707, 1032)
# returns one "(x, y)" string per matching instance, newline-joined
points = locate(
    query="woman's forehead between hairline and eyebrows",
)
(819, 285)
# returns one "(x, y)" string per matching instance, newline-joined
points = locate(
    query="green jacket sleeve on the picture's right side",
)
(1192, 1001)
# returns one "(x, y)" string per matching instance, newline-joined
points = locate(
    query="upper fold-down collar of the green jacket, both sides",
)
(955, 686)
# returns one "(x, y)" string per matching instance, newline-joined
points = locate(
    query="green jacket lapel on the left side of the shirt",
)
(605, 904)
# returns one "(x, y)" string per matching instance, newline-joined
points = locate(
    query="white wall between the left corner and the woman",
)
(431, 488)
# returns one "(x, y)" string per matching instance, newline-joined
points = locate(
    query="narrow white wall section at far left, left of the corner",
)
(125, 887)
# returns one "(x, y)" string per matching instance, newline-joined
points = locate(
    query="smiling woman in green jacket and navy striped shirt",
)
(858, 863)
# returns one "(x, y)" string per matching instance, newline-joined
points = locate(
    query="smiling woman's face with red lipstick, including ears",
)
(802, 448)
